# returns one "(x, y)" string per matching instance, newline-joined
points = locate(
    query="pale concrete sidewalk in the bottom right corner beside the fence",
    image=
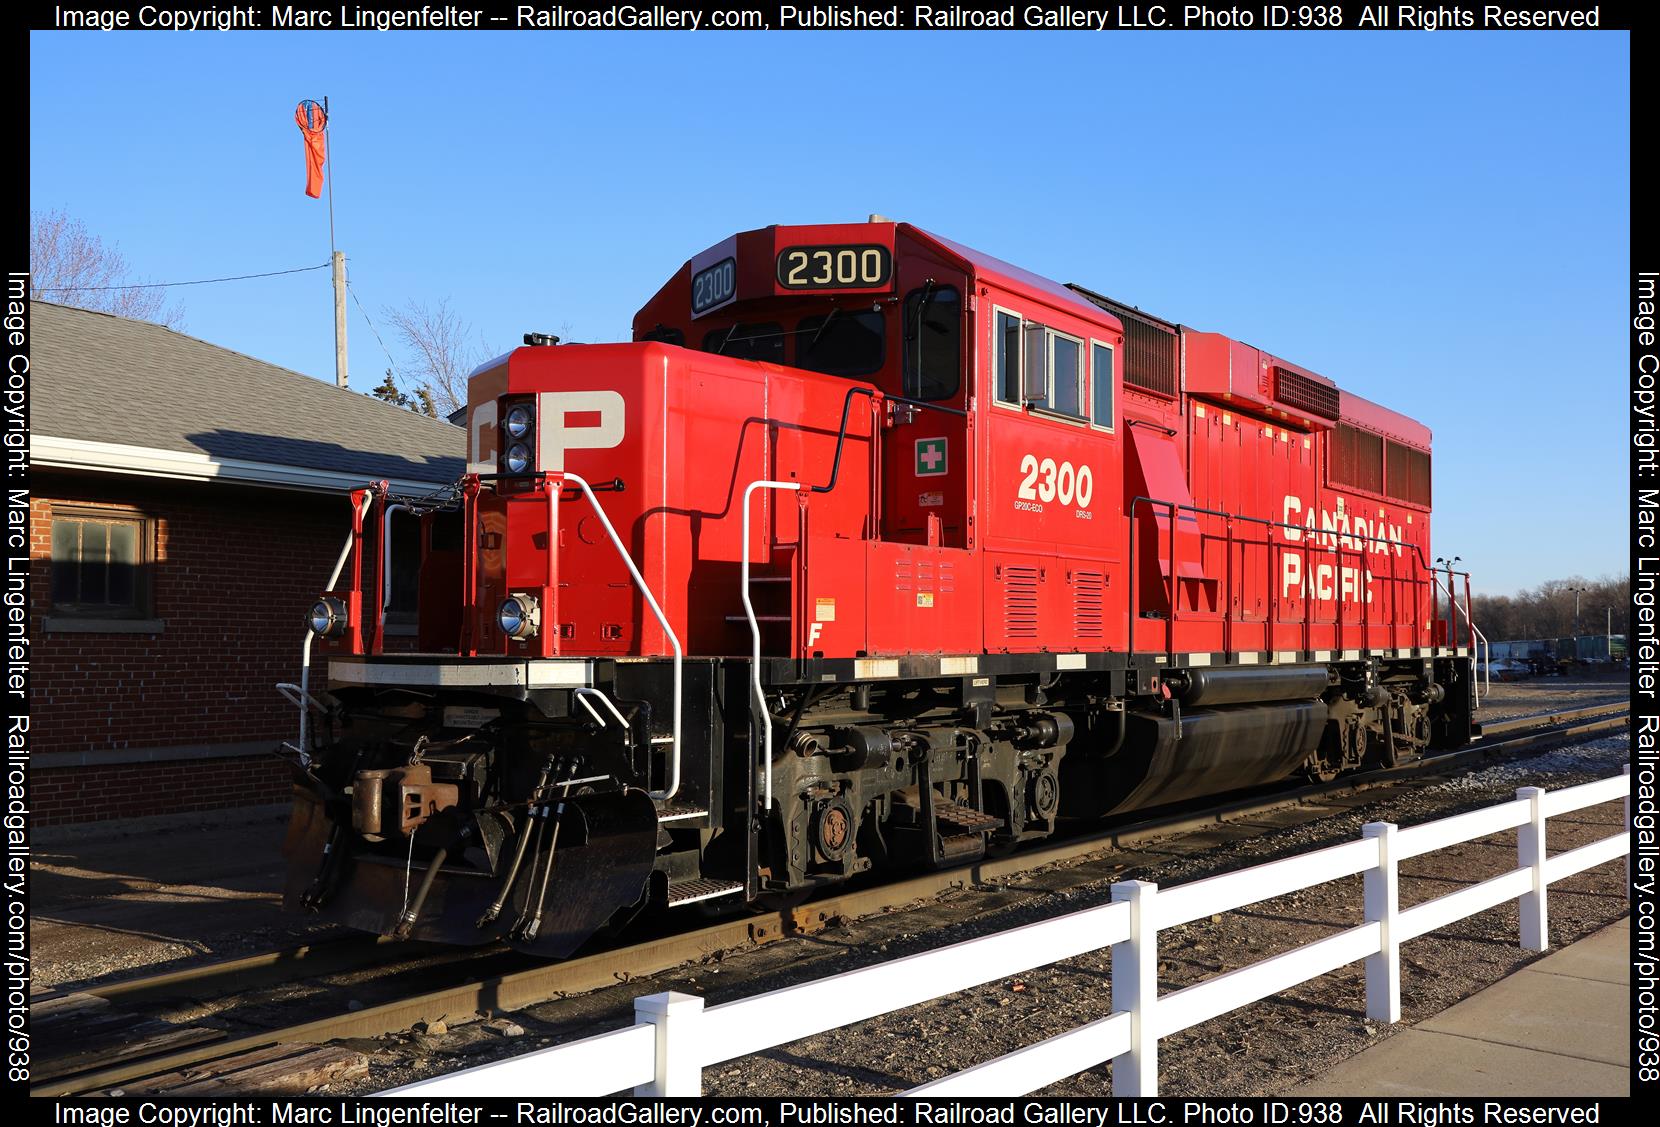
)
(1561, 1027)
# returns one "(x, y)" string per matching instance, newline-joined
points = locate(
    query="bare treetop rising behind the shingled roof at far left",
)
(71, 265)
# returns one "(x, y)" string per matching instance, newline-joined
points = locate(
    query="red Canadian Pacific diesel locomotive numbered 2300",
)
(869, 550)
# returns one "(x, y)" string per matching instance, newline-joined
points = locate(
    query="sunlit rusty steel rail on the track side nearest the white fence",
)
(607, 968)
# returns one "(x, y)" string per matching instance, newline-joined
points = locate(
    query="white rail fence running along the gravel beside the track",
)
(676, 1038)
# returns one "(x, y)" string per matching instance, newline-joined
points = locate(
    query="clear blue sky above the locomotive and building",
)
(1437, 222)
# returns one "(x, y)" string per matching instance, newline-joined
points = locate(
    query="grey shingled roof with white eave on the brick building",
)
(130, 396)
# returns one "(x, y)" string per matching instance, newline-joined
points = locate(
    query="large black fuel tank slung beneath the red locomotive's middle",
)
(1213, 751)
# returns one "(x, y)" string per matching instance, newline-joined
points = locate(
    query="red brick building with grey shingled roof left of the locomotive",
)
(188, 504)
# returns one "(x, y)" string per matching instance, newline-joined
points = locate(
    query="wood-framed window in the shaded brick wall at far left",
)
(100, 563)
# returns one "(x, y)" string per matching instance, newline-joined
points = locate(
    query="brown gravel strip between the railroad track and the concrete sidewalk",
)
(1264, 1048)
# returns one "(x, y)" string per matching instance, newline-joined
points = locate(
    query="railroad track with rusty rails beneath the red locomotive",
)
(519, 987)
